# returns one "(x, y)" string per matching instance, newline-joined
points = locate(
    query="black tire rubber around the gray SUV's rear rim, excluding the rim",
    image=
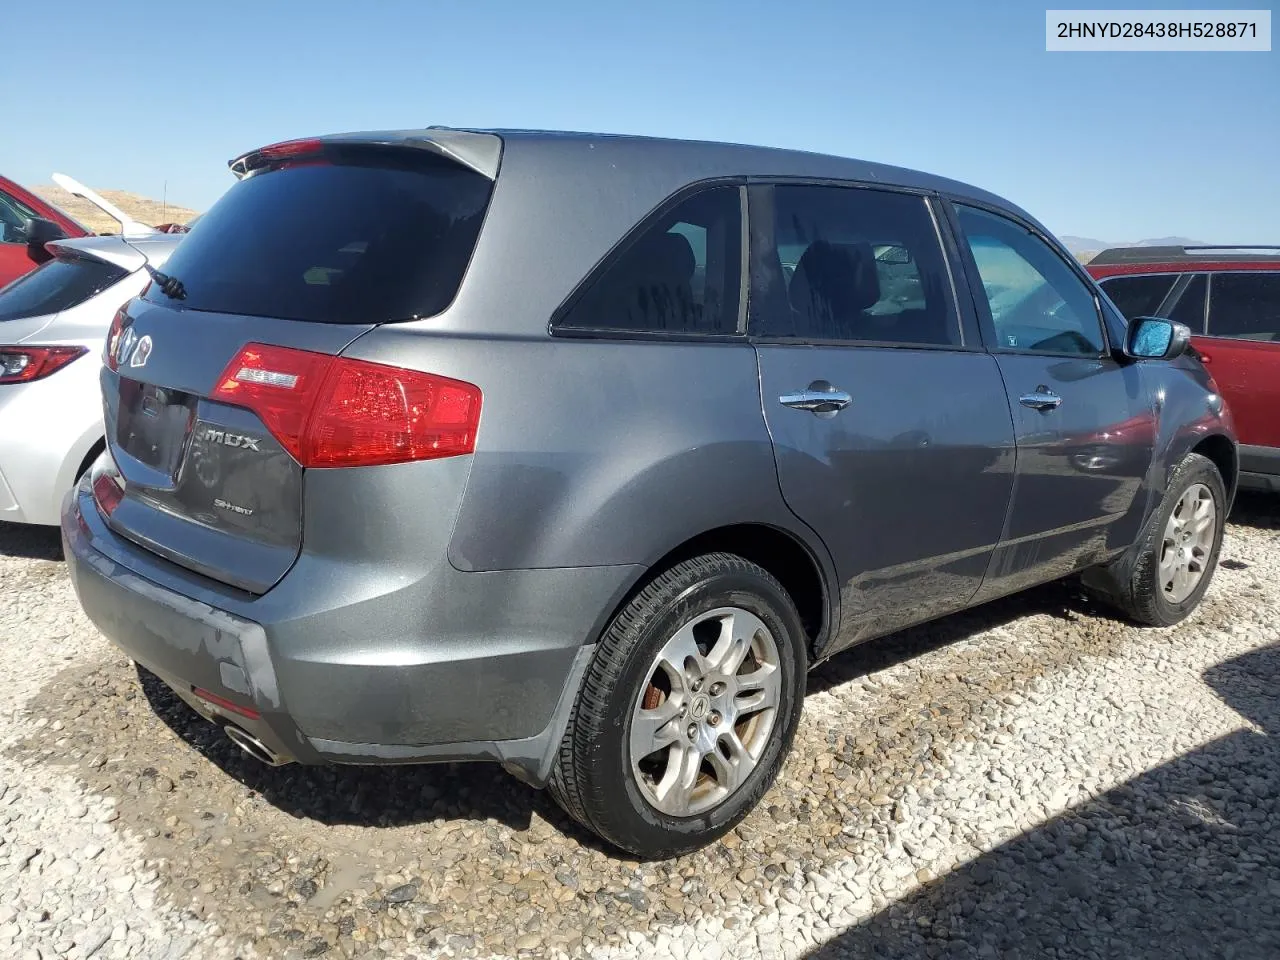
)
(632, 821)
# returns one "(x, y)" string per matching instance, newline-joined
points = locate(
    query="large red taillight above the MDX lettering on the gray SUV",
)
(341, 413)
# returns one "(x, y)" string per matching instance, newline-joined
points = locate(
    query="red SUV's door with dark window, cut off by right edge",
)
(1244, 354)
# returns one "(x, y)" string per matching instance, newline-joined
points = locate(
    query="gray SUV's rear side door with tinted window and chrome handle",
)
(890, 424)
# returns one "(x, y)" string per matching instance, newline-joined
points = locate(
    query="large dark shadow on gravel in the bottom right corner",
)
(1181, 862)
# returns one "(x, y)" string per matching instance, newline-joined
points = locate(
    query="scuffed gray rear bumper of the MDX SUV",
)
(490, 675)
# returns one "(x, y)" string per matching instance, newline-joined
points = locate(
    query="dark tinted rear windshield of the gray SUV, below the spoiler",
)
(367, 236)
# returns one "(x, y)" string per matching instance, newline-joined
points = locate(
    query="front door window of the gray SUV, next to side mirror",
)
(1039, 304)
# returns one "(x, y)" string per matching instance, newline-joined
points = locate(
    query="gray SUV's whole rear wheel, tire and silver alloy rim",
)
(688, 708)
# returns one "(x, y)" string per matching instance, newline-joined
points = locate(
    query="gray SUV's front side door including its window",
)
(1084, 420)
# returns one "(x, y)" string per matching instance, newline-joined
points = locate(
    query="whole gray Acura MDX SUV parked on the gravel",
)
(577, 452)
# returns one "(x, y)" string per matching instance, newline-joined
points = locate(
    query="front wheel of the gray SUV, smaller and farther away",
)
(1188, 525)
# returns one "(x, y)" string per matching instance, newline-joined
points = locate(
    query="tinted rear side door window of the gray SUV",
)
(851, 264)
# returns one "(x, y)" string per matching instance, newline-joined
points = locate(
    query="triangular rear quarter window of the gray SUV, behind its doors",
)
(679, 276)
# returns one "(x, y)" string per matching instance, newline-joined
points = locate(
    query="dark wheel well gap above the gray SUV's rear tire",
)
(778, 552)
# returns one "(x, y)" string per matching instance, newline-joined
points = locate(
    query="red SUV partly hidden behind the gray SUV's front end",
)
(1231, 300)
